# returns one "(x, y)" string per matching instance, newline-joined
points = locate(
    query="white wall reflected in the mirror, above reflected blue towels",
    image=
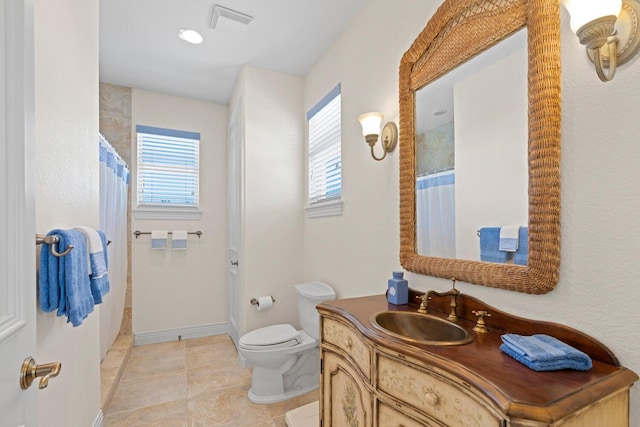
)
(498, 196)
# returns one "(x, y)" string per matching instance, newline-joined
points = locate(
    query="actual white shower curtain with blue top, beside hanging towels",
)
(114, 179)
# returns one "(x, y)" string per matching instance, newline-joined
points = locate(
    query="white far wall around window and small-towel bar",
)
(183, 289)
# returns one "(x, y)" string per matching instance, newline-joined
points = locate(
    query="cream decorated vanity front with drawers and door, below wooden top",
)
(397, 392)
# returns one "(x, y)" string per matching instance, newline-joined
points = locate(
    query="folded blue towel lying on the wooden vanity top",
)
(542, 352)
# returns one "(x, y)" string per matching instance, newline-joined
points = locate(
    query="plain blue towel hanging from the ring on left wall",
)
(64, 281)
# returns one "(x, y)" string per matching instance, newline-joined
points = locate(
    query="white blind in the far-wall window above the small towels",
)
(168, 167)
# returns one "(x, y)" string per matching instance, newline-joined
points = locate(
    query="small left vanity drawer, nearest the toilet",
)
(349, 341)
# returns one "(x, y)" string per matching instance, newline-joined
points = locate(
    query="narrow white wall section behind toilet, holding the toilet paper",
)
(272, 193)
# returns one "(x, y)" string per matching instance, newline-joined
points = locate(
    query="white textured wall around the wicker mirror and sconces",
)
(598, 287)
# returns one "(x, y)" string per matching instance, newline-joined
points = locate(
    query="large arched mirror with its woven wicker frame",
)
(500, 148)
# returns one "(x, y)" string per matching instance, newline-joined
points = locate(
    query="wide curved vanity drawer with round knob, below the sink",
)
(432, 394)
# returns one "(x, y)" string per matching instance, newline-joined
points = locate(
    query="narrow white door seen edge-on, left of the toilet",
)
(235, 140)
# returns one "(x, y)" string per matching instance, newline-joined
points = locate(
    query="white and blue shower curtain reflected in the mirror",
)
(435, 214)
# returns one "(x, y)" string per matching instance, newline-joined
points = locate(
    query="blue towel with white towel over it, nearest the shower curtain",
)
(97, 261)
